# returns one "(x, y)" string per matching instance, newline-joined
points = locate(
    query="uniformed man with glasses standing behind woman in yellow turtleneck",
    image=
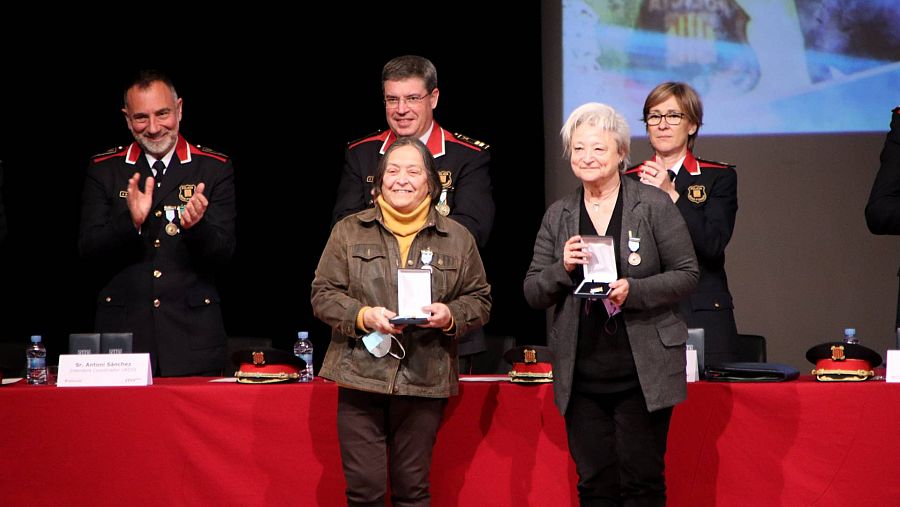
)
(410, 91)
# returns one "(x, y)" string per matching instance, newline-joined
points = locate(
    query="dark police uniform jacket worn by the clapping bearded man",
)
(160, 286)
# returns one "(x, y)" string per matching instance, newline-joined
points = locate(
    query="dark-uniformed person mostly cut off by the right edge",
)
(883, 208)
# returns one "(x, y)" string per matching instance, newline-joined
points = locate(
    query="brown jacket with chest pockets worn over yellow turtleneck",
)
(359, 268)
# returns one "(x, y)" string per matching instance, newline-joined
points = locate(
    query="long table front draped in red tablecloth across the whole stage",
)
(194, 442)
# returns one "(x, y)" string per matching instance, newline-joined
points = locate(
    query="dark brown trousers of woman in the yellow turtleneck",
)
(378, 432)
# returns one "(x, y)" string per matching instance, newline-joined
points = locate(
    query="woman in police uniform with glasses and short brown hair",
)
(706, 195)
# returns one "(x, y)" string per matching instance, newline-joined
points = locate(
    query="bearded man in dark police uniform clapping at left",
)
(159, 216)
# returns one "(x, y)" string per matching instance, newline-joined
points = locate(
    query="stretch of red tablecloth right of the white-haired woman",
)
(792, 443)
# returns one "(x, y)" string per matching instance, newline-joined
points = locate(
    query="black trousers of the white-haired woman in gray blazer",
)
(619, 448)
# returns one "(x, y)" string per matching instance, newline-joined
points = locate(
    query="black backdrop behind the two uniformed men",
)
(283, 107)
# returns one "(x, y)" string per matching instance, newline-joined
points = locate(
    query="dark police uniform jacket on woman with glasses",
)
(708, 203)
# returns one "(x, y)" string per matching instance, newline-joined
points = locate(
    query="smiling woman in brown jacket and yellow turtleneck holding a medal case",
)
(394, 380)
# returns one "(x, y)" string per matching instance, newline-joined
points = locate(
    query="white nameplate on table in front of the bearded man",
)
(101, 370)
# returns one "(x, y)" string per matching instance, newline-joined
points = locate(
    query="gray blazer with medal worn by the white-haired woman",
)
(668, 272)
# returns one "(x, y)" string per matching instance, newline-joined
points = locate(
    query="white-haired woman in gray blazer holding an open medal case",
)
(619, 364)
